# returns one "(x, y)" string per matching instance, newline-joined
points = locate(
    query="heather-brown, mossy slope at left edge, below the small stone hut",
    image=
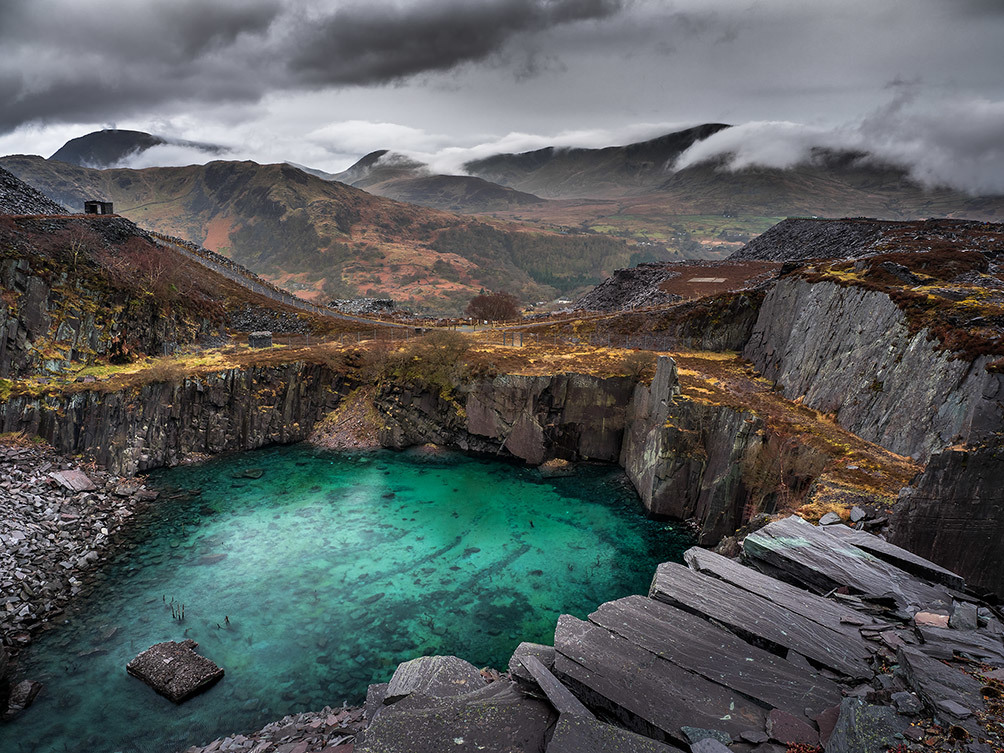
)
(81, 290)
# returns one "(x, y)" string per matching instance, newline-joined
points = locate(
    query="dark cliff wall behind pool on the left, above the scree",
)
(161, 424)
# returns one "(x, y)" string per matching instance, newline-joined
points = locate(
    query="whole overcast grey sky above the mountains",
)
(324, 82)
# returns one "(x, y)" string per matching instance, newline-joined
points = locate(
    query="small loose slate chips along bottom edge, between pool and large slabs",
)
(326, 731)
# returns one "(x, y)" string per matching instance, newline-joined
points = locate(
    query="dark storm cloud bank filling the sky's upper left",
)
(126, 57)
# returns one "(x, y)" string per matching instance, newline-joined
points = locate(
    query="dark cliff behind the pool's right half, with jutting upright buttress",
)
(687, 460)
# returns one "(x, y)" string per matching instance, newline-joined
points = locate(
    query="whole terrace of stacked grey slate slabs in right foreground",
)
(820, 637)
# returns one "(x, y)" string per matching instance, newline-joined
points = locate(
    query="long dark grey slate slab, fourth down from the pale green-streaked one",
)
(697, 646)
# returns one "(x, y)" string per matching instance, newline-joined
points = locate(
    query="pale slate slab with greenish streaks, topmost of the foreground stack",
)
(800, 552)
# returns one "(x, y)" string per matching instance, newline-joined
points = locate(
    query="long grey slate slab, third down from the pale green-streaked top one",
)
(763, 620)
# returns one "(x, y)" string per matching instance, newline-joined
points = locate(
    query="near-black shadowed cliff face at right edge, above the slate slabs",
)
(954, 515)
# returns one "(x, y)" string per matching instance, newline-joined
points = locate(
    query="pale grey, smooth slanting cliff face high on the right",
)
(849, 352)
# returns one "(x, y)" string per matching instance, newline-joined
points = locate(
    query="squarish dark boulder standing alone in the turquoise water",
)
(175, 670)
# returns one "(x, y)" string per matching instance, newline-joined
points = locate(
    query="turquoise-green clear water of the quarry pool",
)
(332, 570)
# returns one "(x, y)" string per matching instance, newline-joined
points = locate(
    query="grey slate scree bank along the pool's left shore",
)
(59, 523)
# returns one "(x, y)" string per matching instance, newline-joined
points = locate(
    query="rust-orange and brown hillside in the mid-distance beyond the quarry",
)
(327, 239)
